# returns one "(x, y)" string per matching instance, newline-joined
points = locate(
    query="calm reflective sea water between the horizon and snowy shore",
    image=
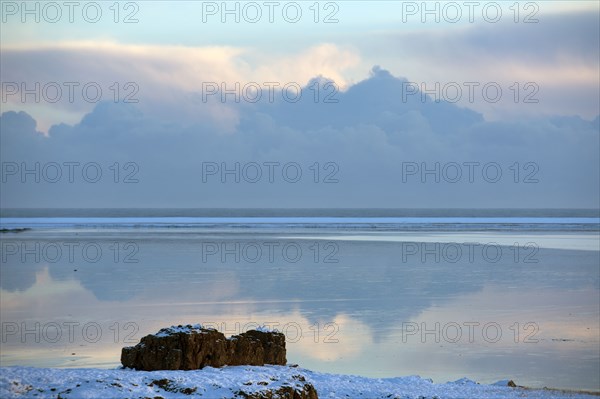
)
(487, 294)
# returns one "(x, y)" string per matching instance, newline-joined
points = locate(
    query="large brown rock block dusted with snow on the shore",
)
(192, 347)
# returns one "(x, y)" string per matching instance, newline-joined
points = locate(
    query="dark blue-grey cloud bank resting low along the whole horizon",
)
(370, 149)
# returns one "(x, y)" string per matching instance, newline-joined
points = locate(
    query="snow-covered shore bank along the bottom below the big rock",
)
(239, 382)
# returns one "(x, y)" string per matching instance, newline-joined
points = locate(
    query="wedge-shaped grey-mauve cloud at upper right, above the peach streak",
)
(571, 35)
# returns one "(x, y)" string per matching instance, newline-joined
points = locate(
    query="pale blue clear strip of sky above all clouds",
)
(180, 22)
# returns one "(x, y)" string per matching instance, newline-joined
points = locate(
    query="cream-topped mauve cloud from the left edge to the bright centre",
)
(159, 78)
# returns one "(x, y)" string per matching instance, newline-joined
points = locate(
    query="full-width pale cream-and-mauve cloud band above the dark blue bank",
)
(559, 54)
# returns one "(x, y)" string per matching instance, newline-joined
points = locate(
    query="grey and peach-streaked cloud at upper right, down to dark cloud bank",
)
(560, 54)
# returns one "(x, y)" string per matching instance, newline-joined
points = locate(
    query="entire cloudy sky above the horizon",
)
(300, 104)
